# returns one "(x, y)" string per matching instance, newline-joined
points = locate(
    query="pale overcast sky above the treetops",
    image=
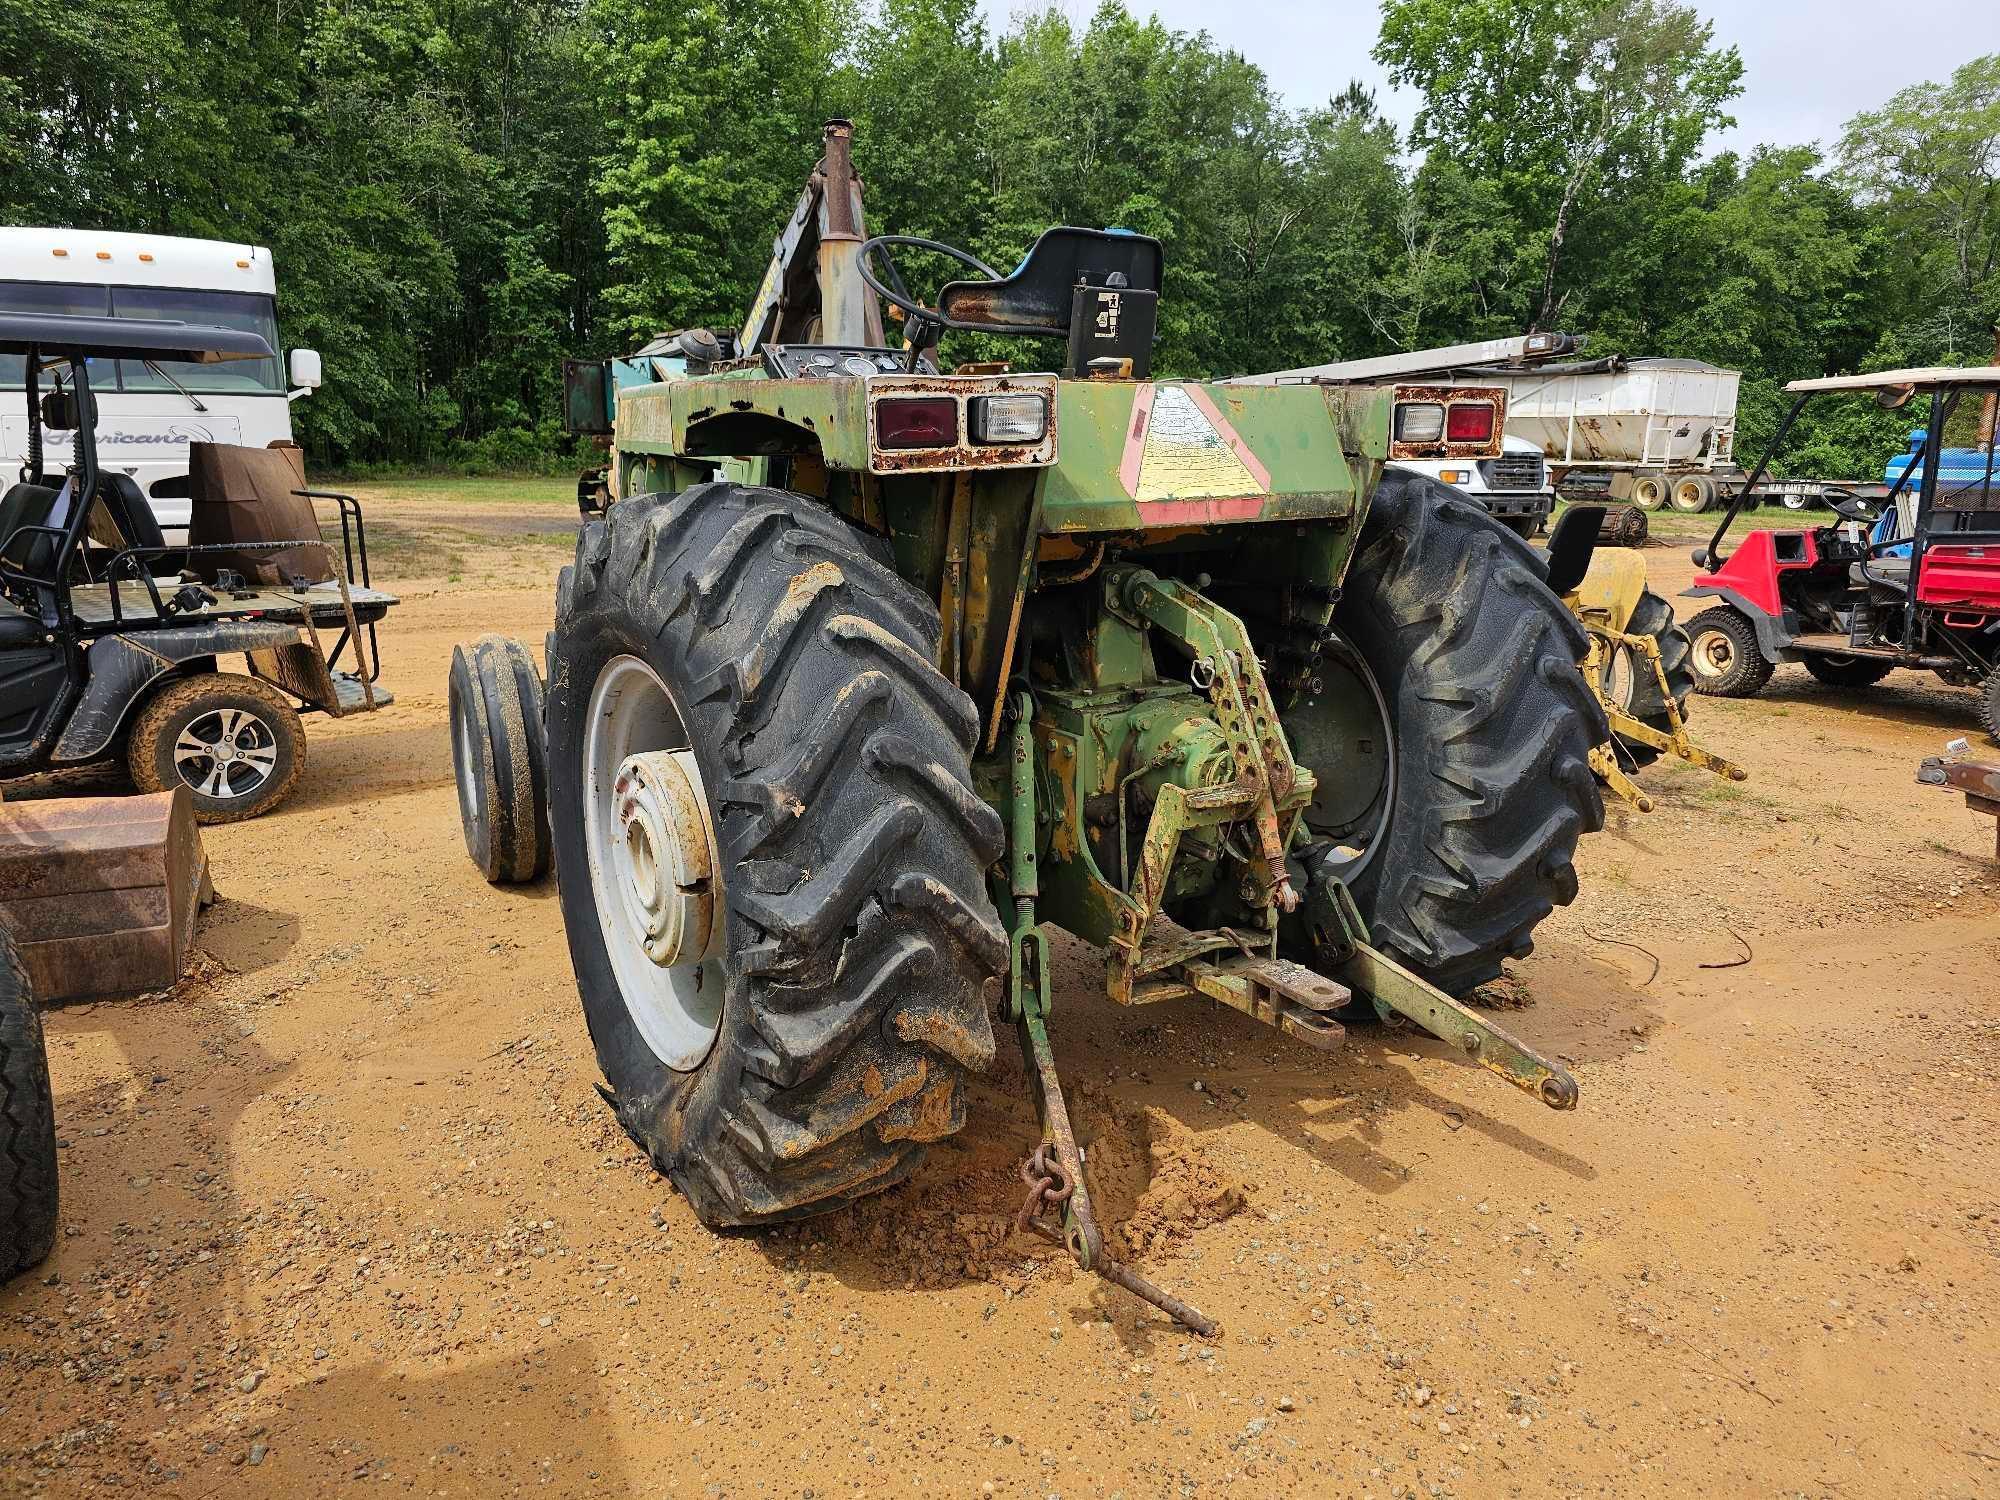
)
(1809, 65)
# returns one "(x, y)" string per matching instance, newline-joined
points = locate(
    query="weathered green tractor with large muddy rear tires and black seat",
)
(869, 671)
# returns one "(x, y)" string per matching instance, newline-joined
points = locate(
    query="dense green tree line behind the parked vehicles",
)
(459, 193)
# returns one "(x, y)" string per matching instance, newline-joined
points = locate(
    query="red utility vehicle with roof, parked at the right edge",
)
(1907, 581)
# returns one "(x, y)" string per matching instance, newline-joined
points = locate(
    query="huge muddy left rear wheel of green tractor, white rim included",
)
(777, 661)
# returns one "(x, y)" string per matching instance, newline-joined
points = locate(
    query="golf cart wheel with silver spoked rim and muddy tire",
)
(235, 741)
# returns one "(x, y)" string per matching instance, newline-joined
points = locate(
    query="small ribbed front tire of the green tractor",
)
(499, 759)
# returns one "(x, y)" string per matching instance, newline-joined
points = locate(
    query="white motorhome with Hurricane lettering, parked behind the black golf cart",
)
(151, 413)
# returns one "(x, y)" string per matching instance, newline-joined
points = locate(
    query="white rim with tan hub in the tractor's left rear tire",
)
(633, 751)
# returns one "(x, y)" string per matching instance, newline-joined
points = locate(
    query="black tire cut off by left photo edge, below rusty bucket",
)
(27, 1125)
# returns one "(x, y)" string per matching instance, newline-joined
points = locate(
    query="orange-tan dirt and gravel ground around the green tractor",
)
(347, 1209)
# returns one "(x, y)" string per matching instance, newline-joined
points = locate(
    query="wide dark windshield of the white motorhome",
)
(183, 305)
